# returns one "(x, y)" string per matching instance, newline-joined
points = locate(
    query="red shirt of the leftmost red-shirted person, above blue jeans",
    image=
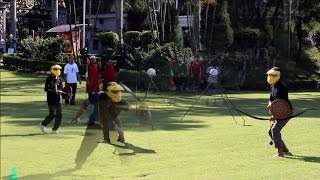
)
(93, 78)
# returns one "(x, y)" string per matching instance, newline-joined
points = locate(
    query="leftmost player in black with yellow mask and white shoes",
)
(53, 87)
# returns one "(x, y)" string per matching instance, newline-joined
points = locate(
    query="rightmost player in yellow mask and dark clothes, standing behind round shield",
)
(278, 90)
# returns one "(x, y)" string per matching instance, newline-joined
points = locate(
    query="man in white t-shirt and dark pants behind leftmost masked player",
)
(71, 76)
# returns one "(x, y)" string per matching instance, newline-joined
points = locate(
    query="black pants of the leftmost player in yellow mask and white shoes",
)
(54, 112)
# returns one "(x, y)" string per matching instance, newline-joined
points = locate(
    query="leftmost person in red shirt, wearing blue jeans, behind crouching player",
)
(92, 90)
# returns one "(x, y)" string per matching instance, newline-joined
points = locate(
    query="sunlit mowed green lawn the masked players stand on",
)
(207, 144)
